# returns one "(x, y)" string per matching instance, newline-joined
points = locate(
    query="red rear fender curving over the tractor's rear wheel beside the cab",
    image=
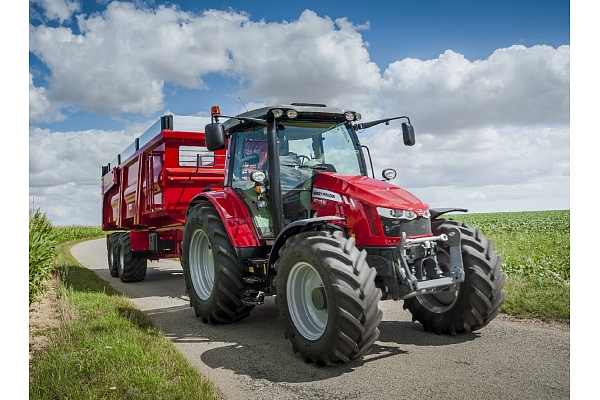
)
(234, 214)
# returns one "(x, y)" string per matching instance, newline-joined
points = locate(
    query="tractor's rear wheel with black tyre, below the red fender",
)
(212, 272)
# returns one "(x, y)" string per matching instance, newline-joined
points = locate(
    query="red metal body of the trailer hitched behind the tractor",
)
(155, 197)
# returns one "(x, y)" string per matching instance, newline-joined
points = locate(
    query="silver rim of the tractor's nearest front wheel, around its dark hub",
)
(308, 319)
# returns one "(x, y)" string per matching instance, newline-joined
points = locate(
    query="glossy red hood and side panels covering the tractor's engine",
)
(360, 195)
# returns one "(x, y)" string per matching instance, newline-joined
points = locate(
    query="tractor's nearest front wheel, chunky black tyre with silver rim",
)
(327, 297)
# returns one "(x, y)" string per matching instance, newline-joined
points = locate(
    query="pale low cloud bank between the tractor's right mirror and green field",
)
(478, 167)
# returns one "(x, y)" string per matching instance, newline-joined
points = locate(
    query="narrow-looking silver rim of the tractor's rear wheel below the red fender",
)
(202, 265)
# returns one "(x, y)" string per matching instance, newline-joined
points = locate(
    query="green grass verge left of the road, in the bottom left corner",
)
(105, 348)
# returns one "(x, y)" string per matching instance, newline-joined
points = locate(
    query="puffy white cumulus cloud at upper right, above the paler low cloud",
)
(515, 86)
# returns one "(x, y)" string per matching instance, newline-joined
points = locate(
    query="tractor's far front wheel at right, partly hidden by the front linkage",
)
(477, 300)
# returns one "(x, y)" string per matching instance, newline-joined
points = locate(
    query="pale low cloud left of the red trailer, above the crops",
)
(65, 170)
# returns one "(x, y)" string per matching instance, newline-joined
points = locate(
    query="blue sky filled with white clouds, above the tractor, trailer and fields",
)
(486, 84)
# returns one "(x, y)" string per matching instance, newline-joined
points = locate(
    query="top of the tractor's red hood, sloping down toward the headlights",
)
(367, 190)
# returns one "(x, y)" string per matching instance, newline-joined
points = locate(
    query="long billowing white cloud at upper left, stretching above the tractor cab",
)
(122, 58)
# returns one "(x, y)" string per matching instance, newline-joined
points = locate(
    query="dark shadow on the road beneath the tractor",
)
(256, 346)
